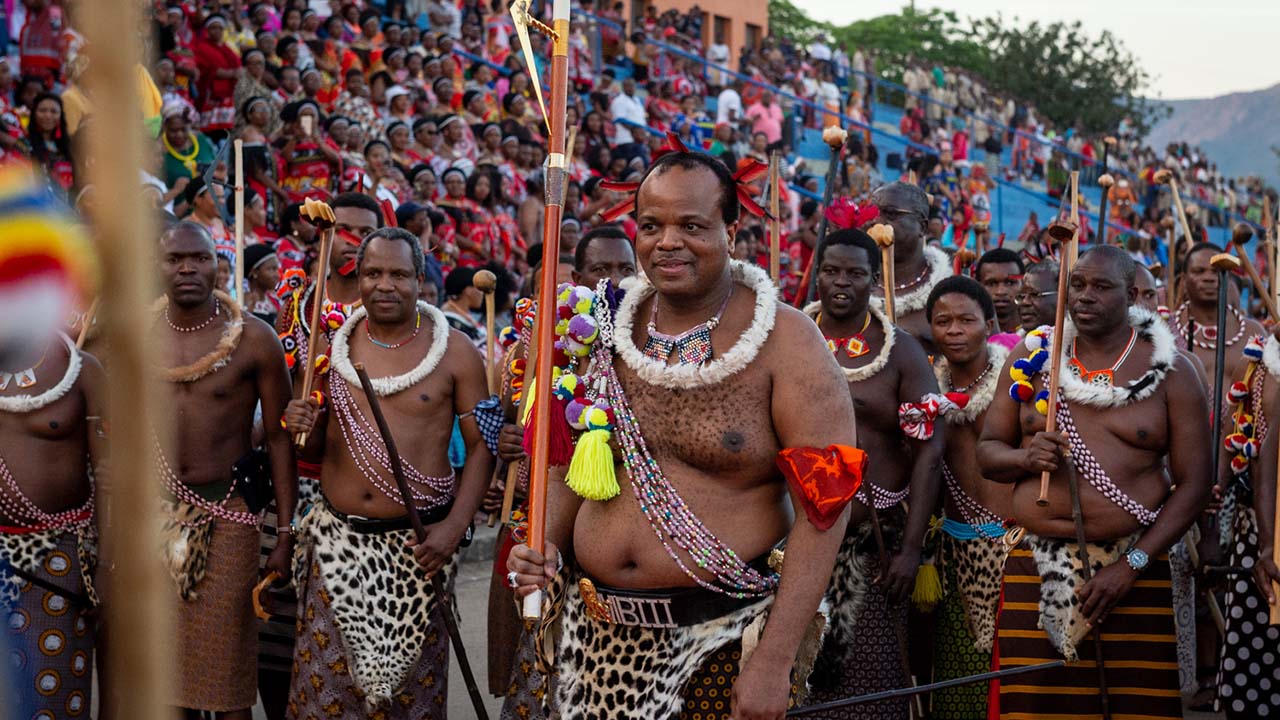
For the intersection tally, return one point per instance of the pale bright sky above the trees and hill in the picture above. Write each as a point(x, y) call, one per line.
point(1192, 48)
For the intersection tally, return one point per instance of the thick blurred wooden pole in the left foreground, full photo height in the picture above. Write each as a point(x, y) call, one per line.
point(139, 595)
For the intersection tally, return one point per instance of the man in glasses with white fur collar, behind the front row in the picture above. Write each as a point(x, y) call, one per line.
point(917, 266)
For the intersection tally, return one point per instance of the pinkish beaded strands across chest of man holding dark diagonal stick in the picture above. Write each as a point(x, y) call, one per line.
point(371, 457)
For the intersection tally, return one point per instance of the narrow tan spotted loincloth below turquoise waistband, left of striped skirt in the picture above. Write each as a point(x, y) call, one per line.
point(980, 567)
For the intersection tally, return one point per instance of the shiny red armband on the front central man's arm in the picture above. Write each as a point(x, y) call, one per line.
point(825, 480)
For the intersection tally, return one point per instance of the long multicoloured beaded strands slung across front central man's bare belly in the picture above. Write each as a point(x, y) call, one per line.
point(671, 520)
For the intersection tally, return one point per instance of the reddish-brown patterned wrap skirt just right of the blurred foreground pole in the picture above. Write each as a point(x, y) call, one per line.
point(217, 634)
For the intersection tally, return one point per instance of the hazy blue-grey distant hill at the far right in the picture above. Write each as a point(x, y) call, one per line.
point(1237, 131)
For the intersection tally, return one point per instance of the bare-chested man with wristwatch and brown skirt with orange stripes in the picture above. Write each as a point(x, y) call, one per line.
point(1128, 403)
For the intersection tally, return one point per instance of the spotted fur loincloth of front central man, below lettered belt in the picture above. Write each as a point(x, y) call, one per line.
point(653, 664)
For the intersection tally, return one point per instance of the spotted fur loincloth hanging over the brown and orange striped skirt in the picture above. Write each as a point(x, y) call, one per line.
point(1059, 567)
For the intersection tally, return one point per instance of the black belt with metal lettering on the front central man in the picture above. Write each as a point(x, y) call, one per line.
point(665, 608)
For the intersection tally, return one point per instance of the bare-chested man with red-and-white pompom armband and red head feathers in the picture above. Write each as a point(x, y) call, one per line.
point(886, 370)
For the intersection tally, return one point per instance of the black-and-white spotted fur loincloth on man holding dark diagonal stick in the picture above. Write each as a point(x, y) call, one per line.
point(382, 600)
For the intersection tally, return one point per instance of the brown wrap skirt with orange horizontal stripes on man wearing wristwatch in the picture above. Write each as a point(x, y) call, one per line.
point(1139, 644)
